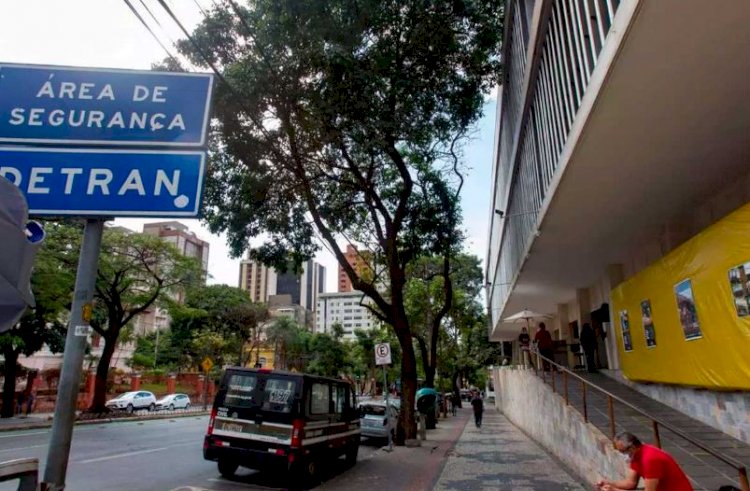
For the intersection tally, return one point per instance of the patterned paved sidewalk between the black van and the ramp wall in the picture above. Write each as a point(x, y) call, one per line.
point(457, 456)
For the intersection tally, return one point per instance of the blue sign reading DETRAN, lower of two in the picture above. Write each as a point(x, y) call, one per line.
point(106, 183)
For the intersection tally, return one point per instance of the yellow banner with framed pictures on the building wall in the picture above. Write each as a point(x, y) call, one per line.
point(686, 318)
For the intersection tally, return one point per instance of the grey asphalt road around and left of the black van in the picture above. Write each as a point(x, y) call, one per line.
point(161, 455)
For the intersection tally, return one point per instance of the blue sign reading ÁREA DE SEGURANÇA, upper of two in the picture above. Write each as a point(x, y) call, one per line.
point(64, 105)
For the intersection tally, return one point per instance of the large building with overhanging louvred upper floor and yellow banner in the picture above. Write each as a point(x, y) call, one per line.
point(621, 190)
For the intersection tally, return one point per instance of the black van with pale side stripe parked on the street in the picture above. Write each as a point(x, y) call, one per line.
point(293, 422)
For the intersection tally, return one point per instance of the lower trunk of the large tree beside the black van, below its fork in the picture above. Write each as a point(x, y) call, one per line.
point(407, 424)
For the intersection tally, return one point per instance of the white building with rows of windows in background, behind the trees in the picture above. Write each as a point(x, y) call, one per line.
point(346, 309)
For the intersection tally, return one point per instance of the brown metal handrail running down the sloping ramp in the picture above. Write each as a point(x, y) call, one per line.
point(656, 422)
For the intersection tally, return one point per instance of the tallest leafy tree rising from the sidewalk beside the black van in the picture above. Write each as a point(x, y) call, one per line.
point(344, 120)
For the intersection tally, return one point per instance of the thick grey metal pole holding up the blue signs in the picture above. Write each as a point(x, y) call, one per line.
point(75, 346)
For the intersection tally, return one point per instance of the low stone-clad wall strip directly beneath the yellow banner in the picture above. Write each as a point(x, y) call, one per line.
point(728, 412)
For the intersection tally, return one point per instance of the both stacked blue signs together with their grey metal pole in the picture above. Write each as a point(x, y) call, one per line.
point(109, 109)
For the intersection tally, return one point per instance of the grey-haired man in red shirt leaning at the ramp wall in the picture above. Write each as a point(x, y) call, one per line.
point(658, 469)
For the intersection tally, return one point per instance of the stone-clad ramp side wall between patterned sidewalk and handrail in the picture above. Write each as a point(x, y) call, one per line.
point(532, 407)
